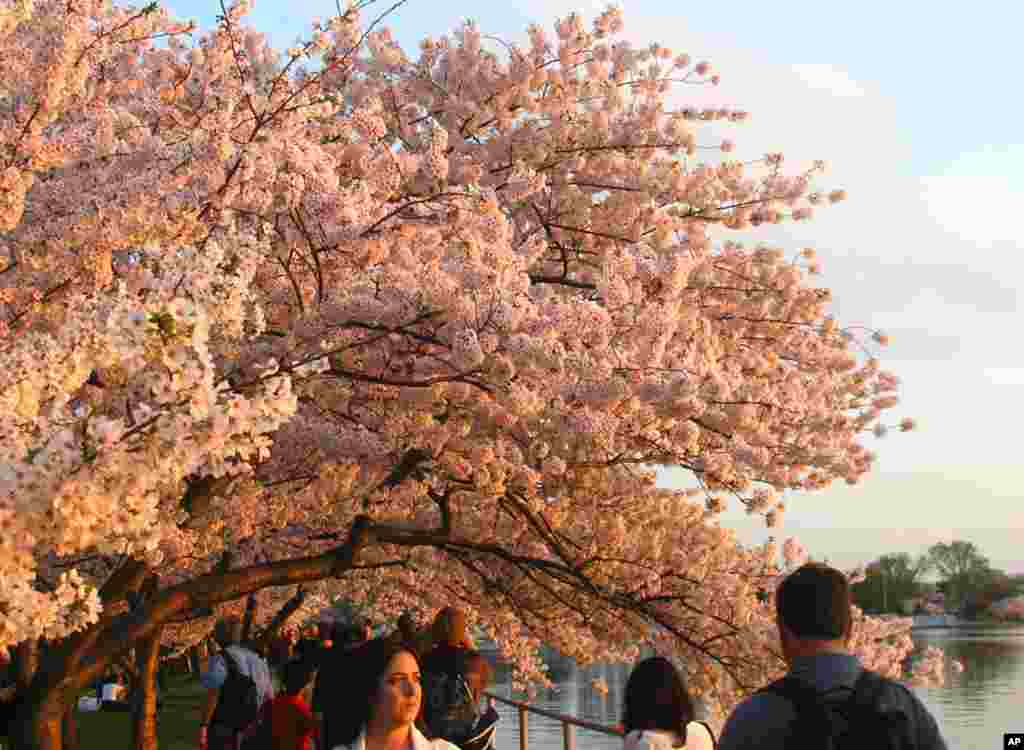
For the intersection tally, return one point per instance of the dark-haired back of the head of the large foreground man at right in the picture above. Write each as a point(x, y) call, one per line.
point(813, 608)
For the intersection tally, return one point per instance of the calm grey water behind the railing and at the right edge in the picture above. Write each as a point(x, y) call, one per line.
point(974, 710)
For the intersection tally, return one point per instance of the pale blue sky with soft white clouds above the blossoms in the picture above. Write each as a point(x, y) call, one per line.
point(913, 107)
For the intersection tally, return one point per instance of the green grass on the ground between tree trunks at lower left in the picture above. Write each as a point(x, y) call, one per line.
point(178, 721)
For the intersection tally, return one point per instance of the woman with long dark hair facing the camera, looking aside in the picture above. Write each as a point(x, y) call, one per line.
point(388, 701)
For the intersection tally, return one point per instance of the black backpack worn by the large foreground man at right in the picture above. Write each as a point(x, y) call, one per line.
point(826, 723)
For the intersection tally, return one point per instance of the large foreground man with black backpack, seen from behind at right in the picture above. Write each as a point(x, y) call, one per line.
point(828, 700)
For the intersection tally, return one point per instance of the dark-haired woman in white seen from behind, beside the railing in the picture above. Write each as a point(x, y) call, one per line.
point(659, 712)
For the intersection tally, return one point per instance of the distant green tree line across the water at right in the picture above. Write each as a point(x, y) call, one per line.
point(969, 584)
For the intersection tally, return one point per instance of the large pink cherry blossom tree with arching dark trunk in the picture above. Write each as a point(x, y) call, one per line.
point(417, 328)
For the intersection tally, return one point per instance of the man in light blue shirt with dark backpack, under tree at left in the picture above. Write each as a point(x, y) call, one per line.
point(238, 683)
